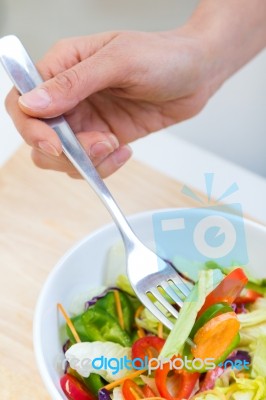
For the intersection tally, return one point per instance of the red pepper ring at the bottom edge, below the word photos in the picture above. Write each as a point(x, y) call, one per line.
point(183, 382)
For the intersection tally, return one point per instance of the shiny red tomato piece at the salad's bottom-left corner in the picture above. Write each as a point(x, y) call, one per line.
point(74, 389)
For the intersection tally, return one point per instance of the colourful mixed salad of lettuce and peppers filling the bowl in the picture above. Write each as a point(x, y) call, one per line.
point(116, 349)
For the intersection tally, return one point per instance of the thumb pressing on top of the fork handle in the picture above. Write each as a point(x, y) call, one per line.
point(64, 91)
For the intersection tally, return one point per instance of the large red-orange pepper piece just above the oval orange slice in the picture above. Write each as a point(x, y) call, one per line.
point(227, 290)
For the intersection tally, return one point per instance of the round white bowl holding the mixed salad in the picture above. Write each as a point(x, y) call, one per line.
point(82, 267)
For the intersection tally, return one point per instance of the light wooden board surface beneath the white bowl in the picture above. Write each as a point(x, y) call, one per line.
point(42, 214)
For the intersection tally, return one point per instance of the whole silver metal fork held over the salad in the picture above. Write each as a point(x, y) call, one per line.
point(148, 273)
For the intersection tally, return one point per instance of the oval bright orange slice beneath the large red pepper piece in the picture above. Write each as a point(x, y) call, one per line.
point(214, 338)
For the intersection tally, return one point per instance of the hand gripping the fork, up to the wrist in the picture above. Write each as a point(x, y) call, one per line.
point(112, 88)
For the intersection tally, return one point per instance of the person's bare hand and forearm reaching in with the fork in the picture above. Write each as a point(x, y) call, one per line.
point(134, 83)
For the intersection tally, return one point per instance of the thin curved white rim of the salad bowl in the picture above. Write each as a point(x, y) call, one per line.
point(45, 376)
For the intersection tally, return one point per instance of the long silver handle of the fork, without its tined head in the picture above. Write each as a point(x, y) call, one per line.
point(26, 77)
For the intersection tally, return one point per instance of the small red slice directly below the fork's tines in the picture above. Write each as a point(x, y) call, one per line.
point(148, 346)
